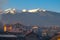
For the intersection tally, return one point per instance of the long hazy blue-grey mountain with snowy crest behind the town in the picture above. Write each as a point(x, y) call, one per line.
point(32, 17)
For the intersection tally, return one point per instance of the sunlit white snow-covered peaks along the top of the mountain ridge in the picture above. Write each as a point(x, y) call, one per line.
point(13, 10)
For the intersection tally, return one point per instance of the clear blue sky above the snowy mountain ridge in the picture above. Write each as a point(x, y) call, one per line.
point(51, 5)
